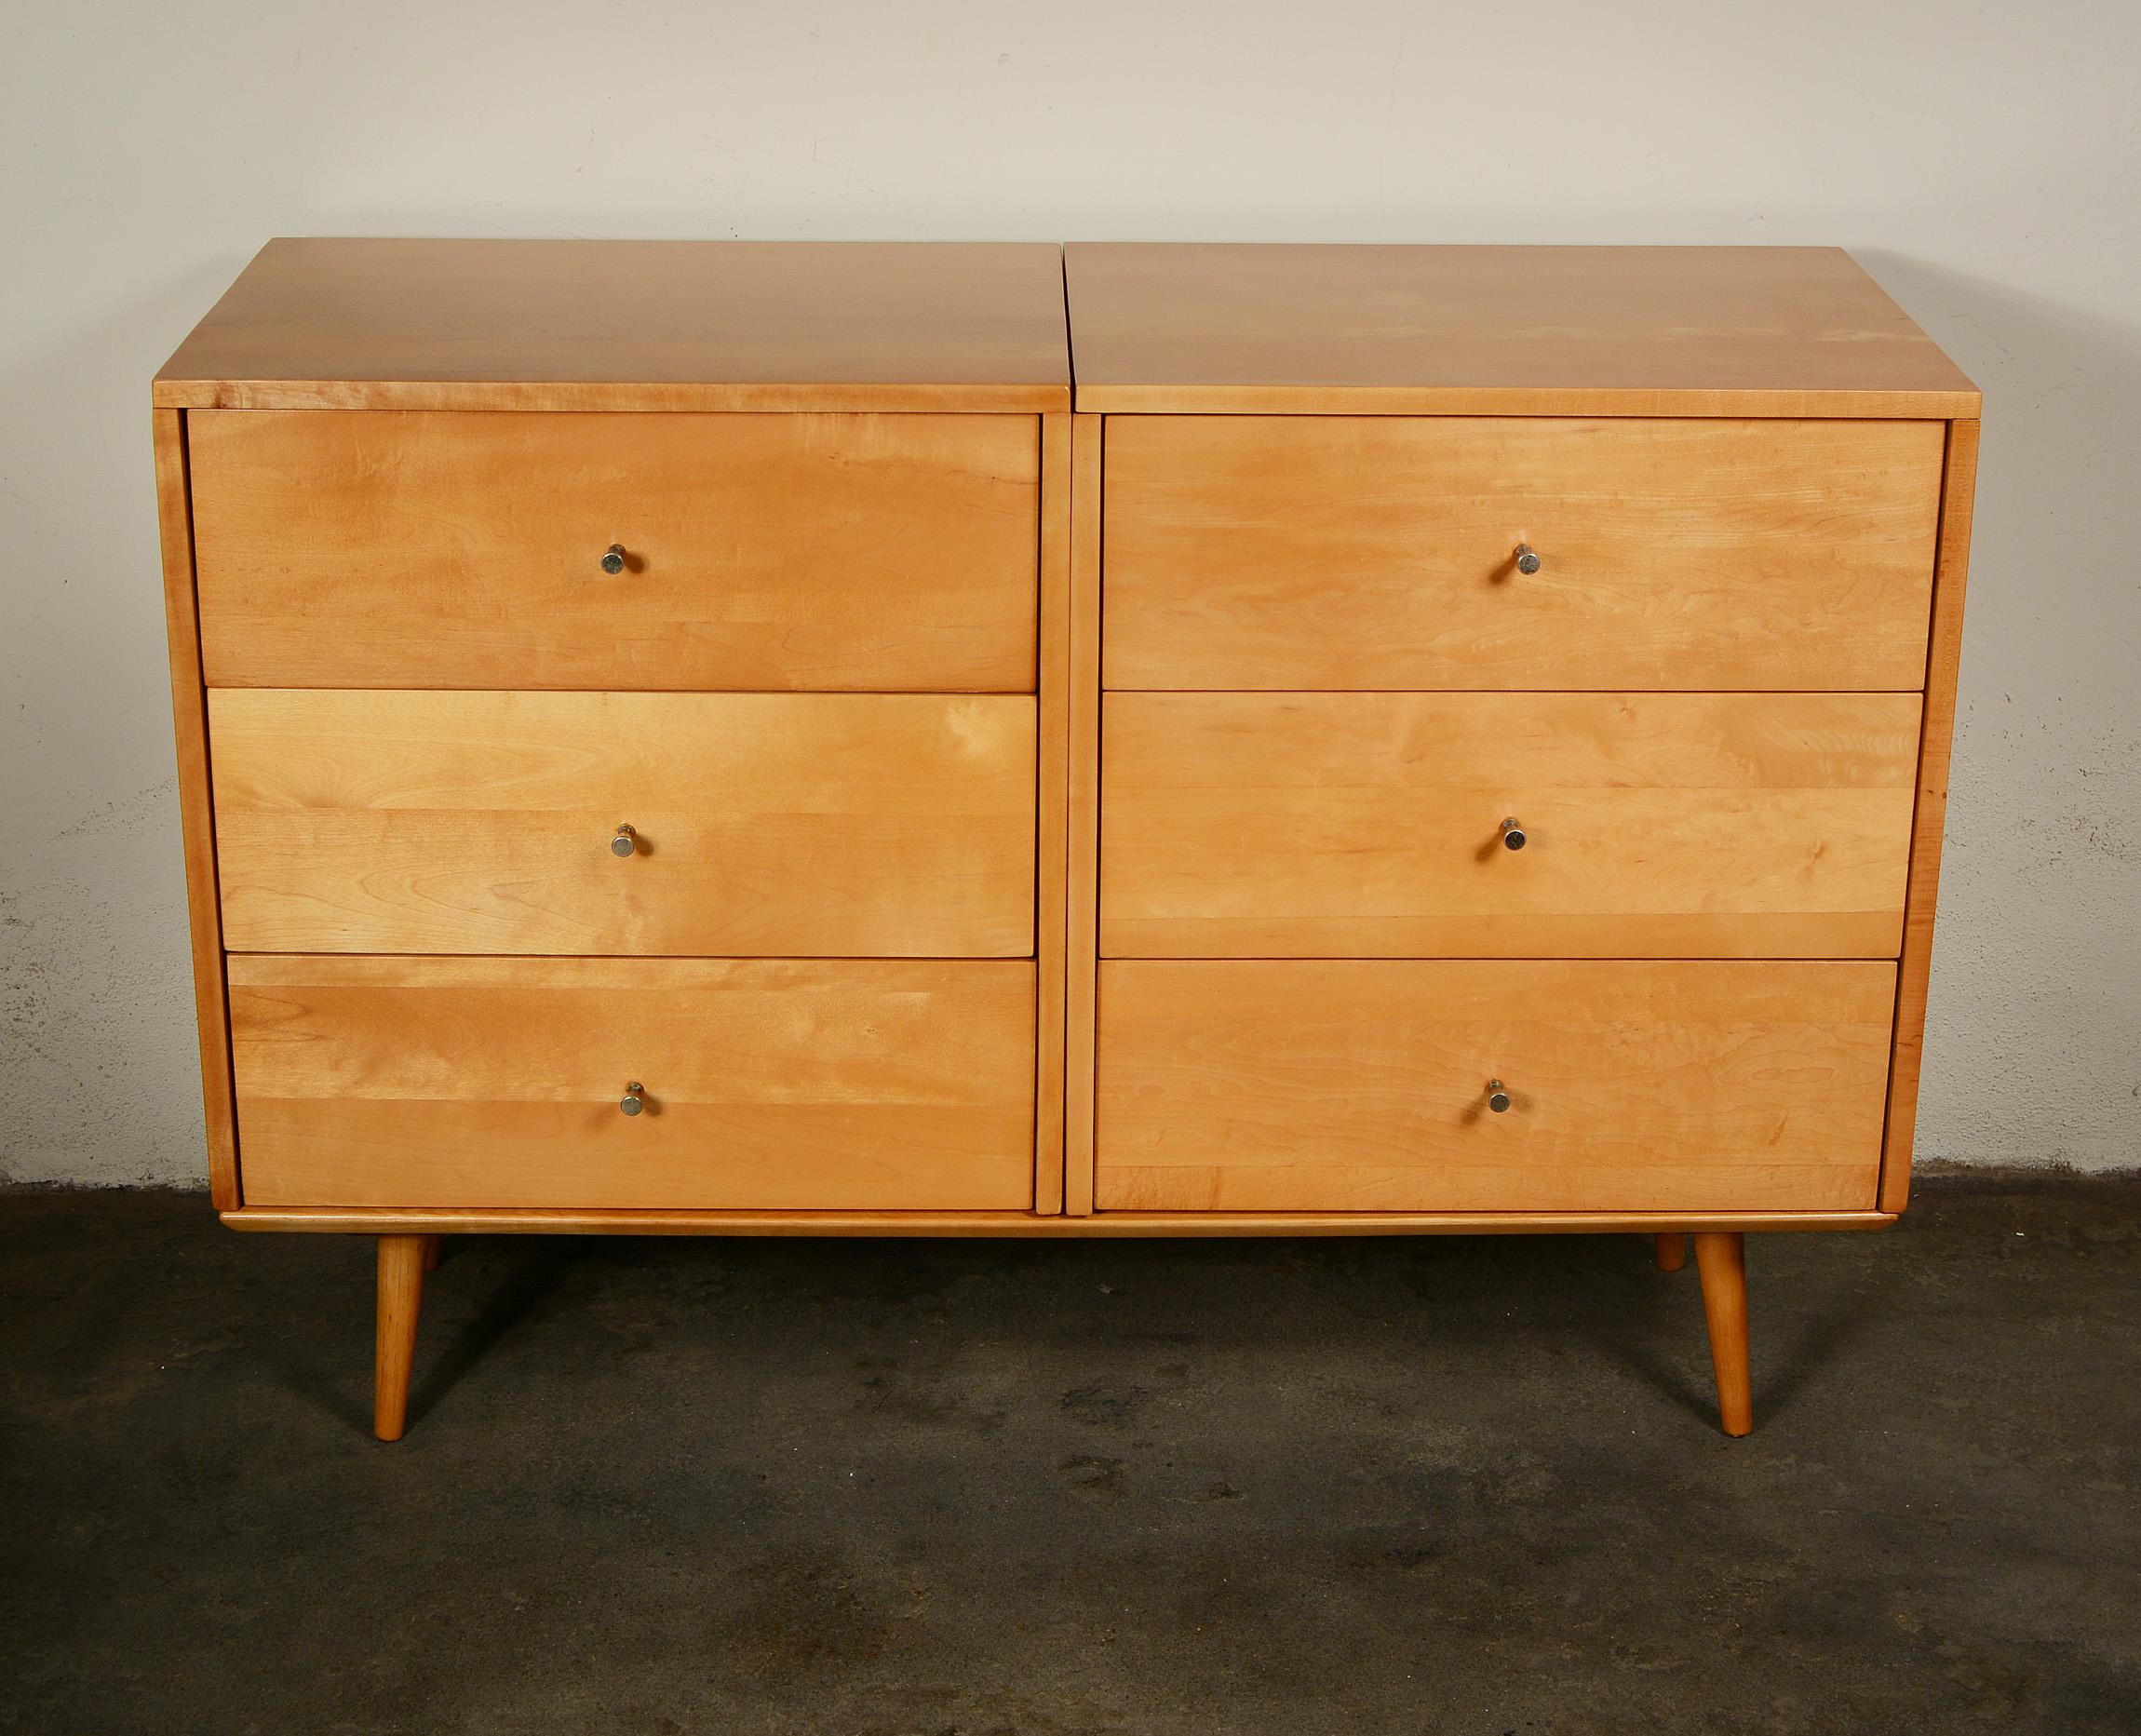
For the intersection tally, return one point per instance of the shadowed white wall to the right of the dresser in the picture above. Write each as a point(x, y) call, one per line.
point(2035, 1020)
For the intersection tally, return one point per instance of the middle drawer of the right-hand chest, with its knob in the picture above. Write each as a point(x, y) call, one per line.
point(1369, 825)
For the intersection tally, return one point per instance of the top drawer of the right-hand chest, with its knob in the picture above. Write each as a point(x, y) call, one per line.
point(1380, 553)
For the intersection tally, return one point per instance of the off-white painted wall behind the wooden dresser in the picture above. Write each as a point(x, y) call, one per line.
point(1981, 157)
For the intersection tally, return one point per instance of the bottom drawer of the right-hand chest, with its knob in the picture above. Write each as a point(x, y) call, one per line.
point(1363, 1086)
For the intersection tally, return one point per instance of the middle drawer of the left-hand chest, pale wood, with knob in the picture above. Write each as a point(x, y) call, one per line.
point(813, 825)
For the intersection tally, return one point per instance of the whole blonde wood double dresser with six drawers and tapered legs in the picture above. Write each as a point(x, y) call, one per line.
point(701, 740)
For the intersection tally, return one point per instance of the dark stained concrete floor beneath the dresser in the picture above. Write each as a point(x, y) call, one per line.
point(917, 1489)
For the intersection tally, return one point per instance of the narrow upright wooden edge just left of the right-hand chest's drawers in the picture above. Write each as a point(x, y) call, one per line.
point(1087, 504)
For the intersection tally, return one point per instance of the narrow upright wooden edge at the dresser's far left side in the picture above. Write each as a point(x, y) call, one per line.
point(196, 817)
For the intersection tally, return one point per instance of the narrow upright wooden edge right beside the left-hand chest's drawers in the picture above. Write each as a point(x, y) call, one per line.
point(1052, 887)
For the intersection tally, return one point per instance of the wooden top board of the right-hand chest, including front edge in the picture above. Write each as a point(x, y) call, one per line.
point(1504, 331)
